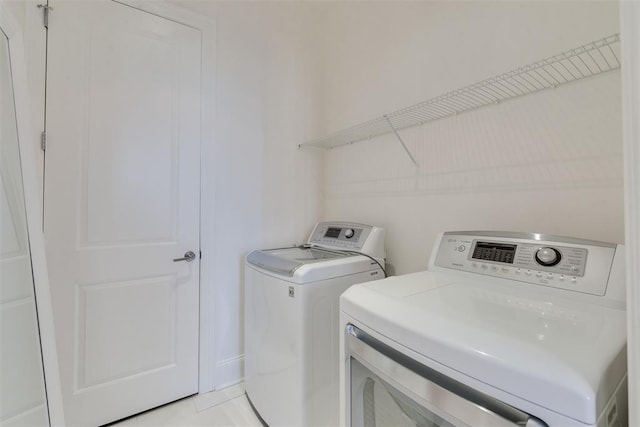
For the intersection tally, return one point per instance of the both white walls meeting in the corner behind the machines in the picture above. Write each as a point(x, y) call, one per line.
point(290, 71)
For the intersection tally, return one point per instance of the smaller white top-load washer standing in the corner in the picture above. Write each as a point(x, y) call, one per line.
point(291, 320)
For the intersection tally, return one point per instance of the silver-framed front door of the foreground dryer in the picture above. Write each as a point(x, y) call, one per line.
point(387, 388)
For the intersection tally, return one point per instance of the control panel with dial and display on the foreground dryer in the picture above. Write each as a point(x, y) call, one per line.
point(560, 262)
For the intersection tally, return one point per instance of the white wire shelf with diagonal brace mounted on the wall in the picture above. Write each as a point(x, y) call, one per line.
point(576, 64)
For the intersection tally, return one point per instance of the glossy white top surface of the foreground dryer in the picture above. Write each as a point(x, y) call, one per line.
point(559, 354)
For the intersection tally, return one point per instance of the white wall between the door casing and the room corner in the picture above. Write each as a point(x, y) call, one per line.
point(267, 192)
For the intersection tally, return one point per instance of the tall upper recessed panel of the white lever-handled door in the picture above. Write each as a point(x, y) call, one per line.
point(130, 179)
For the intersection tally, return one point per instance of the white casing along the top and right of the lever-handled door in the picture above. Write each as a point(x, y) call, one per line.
point(207, 27)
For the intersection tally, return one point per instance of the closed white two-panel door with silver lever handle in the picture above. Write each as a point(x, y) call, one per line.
point(121, 202)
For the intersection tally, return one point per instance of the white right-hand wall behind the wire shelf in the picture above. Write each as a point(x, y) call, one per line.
point(549, 162)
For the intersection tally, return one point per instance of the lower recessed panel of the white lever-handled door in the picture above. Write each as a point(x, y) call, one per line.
point(109, 349)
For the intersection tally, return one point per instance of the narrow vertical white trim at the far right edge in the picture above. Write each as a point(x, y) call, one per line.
point(630, 32)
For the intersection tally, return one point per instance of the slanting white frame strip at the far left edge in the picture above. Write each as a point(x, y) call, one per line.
point(33, 209)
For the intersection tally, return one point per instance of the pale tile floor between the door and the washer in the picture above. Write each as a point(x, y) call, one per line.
point(228, 407)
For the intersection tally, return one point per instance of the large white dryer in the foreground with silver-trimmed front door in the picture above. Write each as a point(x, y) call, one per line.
point(503, 329)
